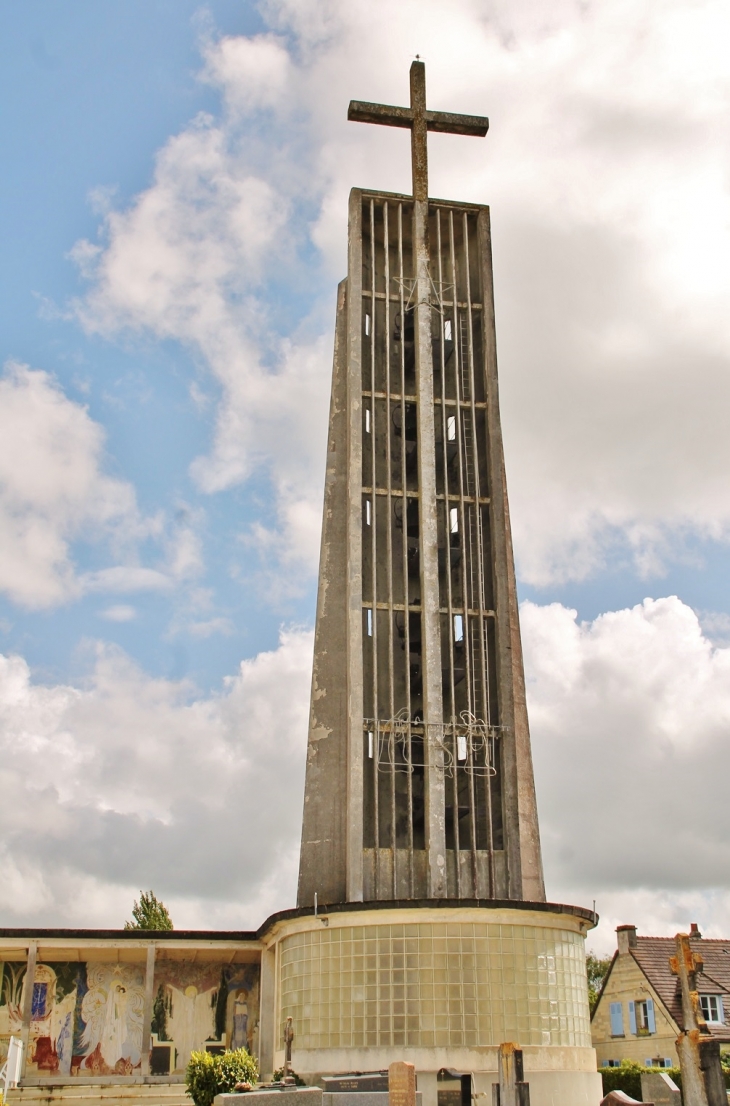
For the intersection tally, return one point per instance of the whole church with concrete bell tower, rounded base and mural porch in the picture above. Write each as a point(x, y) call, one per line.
point(422, 931)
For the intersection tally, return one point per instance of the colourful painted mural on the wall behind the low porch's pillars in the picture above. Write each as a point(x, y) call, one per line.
point(88, 1019)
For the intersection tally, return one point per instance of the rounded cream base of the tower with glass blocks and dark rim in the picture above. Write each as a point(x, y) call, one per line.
point(440, 985)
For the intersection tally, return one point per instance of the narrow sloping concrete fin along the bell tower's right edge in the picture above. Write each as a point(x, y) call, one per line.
point(520, 809)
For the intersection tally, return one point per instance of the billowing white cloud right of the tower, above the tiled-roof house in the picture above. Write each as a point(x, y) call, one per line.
point(631, 718)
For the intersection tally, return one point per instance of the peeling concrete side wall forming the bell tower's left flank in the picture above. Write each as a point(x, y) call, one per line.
point(324, 855)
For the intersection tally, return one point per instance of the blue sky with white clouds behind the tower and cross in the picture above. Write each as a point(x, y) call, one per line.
point(173, 213)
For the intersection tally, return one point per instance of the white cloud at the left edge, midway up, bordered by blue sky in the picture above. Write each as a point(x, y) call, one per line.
point(55, 494)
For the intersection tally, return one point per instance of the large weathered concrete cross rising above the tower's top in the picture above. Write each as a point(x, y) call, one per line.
point(420, 121)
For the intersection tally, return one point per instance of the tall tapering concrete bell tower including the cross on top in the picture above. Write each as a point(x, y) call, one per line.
point(420, 781)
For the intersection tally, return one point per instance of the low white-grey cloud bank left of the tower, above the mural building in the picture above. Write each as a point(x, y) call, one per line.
point(134, 782)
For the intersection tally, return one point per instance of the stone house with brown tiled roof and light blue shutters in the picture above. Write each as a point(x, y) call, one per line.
point(639, 1014)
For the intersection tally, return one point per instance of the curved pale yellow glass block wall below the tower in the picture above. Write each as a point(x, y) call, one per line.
point(430, 986)
